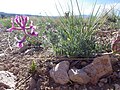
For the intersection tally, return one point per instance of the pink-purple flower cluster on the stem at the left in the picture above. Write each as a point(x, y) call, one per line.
point(21, 22)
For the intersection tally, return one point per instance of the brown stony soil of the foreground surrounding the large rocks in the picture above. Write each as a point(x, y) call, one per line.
point(18, 62)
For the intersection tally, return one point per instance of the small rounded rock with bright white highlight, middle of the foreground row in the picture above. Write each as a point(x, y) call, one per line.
point(79, 76)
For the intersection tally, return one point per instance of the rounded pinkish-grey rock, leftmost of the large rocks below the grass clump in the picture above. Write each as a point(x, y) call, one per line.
point(59, 72)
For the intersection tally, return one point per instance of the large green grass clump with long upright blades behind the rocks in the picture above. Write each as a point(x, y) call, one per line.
point(75, 36)
